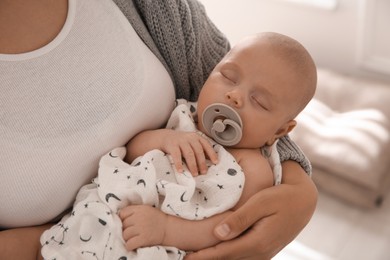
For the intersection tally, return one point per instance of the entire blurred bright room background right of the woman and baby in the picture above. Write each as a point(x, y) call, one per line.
point(350, 43)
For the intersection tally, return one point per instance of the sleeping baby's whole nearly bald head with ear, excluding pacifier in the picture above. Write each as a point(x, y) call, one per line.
point(268, 79)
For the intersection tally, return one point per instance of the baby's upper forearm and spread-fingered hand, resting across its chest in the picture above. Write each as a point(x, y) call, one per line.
point(188, 145)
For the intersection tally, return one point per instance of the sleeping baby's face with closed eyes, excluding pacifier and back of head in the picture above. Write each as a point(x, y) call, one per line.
point(255, 83)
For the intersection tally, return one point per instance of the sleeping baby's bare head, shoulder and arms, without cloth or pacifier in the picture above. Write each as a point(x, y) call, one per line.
point(267, 79)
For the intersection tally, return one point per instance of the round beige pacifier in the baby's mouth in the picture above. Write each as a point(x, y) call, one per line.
point(223, 124)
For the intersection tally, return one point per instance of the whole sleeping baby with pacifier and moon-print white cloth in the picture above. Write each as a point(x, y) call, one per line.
point(249, 101)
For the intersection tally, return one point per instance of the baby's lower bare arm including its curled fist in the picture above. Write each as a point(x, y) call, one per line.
point(145, 225)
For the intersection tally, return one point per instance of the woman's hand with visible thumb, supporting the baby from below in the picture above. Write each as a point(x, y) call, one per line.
point(272, 219)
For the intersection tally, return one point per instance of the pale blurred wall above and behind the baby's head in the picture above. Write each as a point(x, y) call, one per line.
point(333, 37)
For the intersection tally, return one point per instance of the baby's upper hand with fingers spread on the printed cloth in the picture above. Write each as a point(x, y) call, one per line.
point(191, 147)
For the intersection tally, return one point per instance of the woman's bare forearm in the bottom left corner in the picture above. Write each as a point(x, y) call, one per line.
point(22, 243)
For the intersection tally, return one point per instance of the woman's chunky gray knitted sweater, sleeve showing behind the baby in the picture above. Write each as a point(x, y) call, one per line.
point(189, 45)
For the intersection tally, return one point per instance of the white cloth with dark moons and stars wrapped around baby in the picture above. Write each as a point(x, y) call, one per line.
point(93, 229)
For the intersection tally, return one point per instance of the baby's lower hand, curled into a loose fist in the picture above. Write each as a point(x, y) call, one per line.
point(143, 225)
